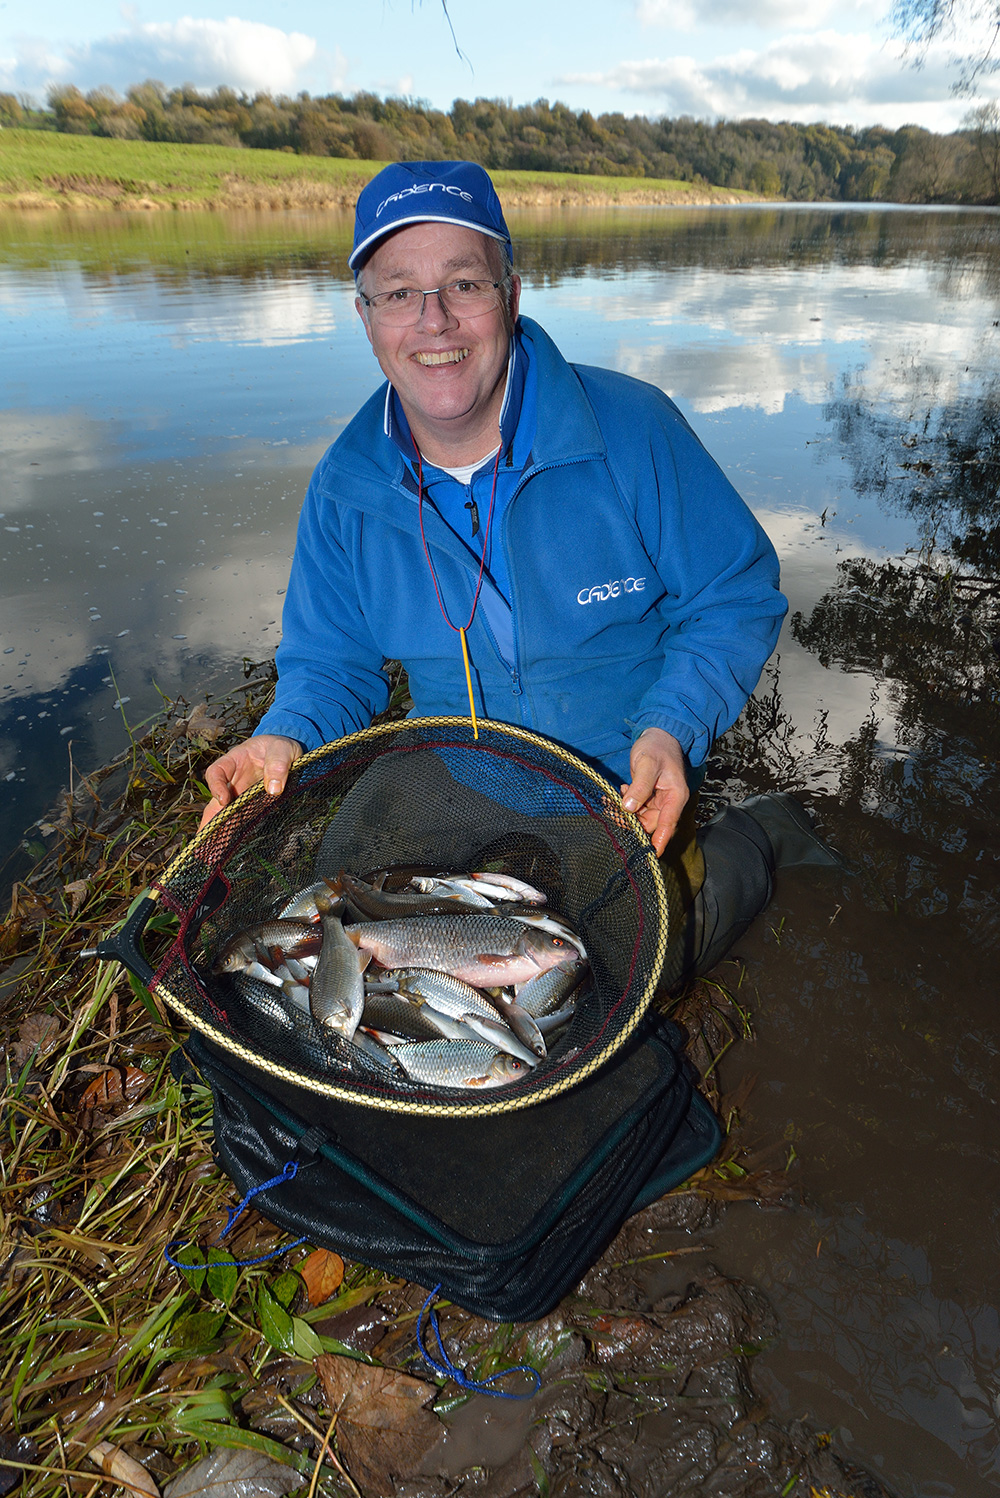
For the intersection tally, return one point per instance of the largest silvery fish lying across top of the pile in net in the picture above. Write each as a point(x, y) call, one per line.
point(478, 949)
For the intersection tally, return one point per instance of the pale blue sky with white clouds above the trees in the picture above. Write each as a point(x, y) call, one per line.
point(808, 61)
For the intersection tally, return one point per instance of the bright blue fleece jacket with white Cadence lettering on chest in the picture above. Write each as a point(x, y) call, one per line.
point(643, 591)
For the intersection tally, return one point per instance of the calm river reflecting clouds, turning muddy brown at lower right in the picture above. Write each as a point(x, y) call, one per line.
point(170, 383)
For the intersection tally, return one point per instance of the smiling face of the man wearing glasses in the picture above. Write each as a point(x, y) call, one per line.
point(448, 372)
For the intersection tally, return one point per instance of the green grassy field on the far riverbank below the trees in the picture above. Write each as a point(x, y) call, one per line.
point(40, 170)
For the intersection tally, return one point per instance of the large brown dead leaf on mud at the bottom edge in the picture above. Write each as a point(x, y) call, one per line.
point(384, 1430)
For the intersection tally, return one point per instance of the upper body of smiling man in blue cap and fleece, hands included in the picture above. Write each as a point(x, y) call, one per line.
point(615, 591)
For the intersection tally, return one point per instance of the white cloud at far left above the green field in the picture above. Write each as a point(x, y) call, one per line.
point(245, 55)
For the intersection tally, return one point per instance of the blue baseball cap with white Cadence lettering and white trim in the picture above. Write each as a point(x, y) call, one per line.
point(426, 192)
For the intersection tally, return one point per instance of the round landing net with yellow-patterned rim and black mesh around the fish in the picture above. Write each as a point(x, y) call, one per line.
point(423, 795)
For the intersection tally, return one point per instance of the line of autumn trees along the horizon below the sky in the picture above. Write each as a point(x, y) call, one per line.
point(799, 163)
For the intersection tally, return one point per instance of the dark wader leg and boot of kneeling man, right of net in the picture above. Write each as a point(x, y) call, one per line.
point(743, 847)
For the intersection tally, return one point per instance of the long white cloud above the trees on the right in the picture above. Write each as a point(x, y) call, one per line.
point(826, 76)
